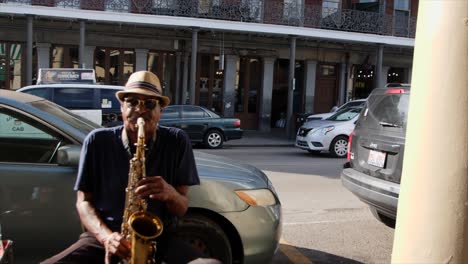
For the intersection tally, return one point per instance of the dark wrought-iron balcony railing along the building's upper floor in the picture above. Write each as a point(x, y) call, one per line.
point(257, 11)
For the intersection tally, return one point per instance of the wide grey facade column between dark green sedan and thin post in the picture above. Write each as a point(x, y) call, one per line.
point(267, 93)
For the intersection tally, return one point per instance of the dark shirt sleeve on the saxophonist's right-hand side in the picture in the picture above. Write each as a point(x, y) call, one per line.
point(186, 171)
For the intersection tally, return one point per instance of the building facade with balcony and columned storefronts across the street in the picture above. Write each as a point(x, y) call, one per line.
point(259, 60)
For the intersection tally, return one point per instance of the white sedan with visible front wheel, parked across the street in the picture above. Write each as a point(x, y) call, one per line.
point(330, 134)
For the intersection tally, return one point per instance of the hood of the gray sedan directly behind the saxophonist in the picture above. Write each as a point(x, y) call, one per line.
point(234, 173)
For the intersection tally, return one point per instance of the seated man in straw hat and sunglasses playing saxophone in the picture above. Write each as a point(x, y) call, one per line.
point(104, 171)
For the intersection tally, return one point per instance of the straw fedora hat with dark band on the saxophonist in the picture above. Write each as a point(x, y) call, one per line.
point(146, 83)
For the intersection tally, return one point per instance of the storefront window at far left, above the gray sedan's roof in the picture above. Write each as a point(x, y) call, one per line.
point(11, 55)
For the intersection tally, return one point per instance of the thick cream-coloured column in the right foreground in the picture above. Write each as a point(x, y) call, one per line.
point(432, 216)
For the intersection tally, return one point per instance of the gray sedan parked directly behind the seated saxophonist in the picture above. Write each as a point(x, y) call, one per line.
point(234, 215)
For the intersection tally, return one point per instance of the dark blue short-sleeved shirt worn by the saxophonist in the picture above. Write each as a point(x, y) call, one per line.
point(104, 166)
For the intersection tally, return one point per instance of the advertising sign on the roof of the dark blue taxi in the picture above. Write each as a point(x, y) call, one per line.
point(63, 75)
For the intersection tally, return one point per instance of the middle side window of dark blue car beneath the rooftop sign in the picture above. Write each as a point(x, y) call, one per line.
point(74, 98)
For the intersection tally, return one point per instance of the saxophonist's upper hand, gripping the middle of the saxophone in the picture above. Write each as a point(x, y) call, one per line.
point(155, 188)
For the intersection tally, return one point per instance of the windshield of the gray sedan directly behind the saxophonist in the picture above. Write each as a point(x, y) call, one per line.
point(67, 116)
